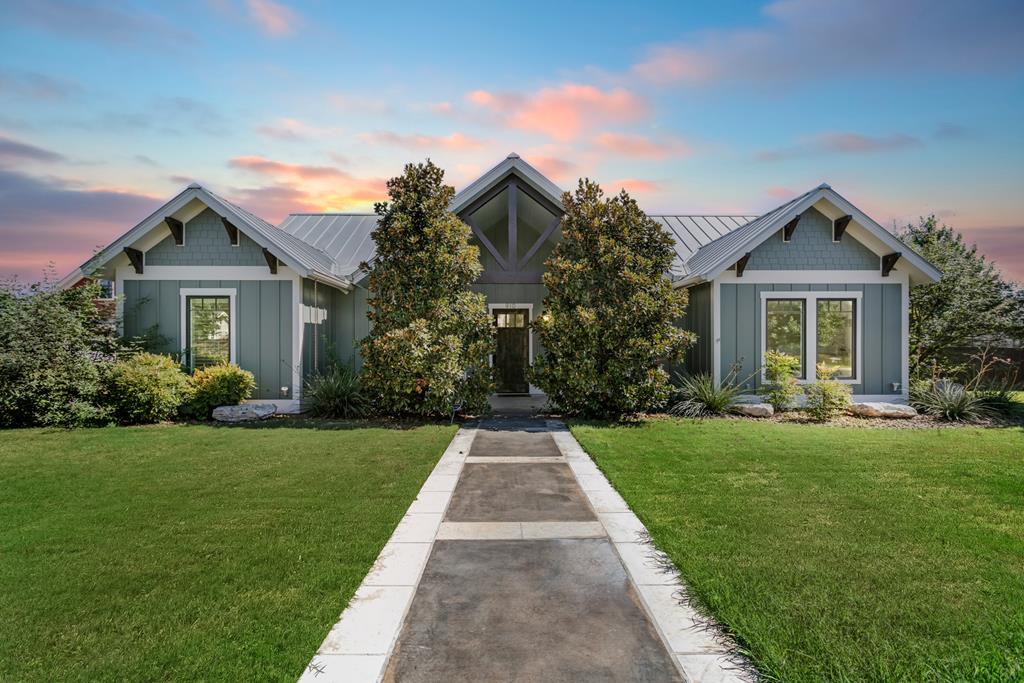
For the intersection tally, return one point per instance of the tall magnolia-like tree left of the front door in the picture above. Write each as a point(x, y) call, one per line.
point(432, 336)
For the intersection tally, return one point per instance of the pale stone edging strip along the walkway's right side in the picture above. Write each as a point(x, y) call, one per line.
point(703, 655)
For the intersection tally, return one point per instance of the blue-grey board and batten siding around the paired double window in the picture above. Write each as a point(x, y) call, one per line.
point(881, 317)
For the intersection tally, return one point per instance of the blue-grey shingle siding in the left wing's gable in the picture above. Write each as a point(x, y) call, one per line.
point(206, 243)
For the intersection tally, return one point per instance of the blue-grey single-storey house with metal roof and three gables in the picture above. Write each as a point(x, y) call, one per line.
point(816, 278)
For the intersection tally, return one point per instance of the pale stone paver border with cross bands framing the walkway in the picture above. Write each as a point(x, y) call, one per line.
point(358, 648)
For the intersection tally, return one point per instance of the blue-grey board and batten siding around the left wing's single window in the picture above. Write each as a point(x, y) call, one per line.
point(264, 325)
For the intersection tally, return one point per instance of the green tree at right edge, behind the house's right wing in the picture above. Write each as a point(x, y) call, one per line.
point(971, 307)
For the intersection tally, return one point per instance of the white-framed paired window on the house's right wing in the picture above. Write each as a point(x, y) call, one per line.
point(818, 328)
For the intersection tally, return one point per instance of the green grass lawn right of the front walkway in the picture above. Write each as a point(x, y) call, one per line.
point(835, 553)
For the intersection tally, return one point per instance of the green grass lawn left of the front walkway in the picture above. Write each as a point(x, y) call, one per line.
point(192, 552)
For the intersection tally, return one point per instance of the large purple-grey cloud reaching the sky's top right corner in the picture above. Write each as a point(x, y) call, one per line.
point(887, 39)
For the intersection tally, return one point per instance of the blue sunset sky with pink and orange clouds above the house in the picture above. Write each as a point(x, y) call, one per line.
point(109, 110)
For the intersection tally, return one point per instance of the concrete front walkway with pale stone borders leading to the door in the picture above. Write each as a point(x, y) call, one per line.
point(520, 563)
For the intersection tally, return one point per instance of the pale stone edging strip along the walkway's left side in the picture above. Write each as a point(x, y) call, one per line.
point(358, 648)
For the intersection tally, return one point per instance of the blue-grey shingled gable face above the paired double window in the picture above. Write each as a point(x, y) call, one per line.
point(812, 248)
